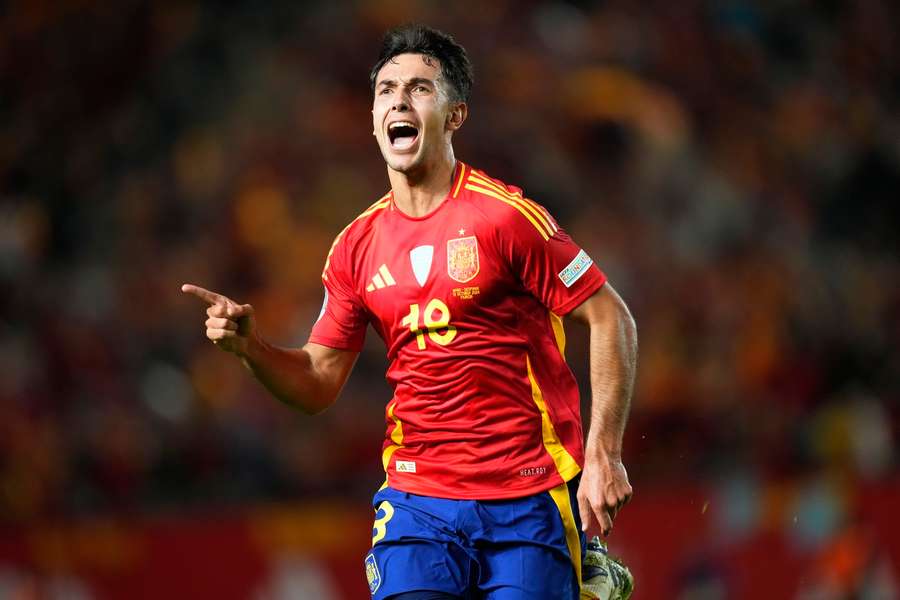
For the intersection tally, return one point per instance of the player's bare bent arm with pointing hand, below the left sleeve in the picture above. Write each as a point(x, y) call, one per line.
point(307, 378)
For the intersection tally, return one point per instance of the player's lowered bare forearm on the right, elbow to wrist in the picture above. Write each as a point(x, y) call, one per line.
point(613, 363)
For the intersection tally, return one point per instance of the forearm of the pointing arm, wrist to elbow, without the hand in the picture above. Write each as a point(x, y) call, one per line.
point(291, 375)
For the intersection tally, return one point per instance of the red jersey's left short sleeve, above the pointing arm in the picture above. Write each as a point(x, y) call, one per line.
point(343, 319)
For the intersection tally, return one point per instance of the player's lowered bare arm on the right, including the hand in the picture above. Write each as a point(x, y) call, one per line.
point(604, 487)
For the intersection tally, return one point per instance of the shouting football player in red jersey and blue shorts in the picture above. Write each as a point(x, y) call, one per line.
point(466, 280)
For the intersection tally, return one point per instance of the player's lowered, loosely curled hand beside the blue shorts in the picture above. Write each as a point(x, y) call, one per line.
point(603, 491)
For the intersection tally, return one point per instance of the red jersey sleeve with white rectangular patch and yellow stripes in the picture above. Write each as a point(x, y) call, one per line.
point(551, 266)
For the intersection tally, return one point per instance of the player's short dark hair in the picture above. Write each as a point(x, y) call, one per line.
point(420, 39)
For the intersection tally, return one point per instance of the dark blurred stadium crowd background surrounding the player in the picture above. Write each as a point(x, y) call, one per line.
point(734, 166)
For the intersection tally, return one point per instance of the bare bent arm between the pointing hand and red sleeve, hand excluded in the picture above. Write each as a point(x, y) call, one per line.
point(308, 378)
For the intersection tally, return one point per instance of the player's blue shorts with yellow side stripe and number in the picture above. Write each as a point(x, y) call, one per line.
point(518, 549)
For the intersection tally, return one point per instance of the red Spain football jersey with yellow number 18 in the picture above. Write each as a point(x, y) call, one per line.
point(468, 300)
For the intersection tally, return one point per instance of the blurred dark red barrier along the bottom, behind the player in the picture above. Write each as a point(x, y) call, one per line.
point(672, 539)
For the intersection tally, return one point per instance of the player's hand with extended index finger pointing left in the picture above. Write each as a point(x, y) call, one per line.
point(230, 326)
